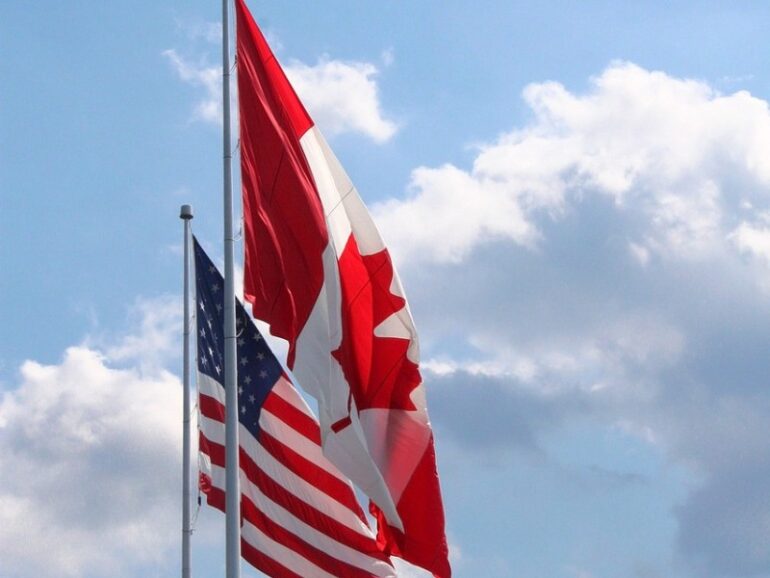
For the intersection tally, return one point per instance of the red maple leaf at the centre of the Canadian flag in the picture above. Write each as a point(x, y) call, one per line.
point(377, 368)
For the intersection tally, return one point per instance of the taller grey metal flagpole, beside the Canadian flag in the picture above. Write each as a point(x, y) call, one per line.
point(232, 485)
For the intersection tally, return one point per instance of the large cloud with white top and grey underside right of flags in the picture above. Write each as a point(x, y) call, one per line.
point(607, 263)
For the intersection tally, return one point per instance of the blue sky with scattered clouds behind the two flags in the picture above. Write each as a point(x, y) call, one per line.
point(578, 199)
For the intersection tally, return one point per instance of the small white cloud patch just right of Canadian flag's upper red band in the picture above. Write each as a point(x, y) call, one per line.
point(342, 97)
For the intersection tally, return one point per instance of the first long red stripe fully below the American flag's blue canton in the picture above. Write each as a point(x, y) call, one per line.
point(308, 513)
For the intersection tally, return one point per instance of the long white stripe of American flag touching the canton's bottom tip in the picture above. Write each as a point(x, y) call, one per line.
point(298, 486)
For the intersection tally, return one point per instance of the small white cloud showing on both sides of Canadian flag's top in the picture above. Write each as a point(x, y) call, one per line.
point(342, 97)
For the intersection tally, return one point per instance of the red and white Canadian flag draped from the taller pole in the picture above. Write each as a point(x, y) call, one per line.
point(317, 270)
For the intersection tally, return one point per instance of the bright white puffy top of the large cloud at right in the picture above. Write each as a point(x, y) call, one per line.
point(671, 150)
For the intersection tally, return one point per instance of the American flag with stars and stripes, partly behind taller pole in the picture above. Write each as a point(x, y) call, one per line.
point(300, 517)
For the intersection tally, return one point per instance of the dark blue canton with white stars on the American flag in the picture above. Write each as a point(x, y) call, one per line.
point(258, 368)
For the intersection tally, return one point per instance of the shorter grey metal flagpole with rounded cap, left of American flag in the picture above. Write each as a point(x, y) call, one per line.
point(186, 215)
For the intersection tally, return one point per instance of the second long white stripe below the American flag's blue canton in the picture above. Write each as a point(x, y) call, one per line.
point(290, 522)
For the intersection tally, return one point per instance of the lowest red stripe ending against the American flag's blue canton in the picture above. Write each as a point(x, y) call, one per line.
point(304, 468)
